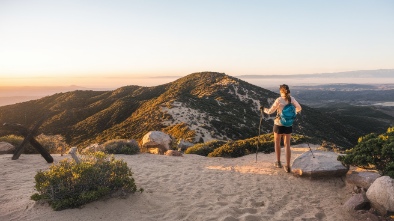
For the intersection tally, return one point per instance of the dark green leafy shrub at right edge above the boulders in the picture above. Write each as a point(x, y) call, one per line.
point(373, 151)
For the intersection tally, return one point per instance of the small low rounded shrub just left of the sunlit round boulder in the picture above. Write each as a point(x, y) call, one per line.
point(121, 146)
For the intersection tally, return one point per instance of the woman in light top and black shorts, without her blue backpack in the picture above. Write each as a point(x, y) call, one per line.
point(280, 130)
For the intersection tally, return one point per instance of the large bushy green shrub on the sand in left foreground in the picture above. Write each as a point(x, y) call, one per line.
point(69, 185)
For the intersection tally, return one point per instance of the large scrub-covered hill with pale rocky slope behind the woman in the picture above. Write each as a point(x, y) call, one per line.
point(198, 107)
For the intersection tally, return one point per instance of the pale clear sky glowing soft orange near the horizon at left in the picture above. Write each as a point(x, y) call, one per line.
point(97, 43)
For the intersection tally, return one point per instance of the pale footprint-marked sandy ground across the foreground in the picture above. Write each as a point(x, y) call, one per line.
point(191, 187)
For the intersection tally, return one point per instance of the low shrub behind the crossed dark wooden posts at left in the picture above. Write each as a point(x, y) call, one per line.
point(54, 144)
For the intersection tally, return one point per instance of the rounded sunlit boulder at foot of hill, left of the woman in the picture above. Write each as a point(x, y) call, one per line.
point(156, 142)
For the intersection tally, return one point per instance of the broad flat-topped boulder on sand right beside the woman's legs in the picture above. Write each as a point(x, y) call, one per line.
point(323, 164)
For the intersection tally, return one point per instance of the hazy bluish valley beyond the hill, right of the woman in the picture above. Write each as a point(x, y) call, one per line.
point(370, 108)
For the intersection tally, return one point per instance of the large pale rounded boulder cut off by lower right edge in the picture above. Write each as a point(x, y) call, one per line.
point(381, 195)
